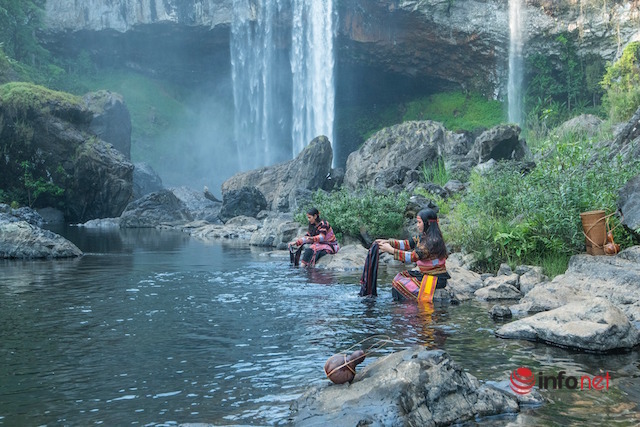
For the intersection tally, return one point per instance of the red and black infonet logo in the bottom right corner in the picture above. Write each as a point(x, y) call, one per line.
point(522, 381)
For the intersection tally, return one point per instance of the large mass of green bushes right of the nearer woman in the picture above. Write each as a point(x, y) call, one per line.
point(535, 218)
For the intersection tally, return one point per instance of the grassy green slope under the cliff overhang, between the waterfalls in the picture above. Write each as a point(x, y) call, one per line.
point(457, 110)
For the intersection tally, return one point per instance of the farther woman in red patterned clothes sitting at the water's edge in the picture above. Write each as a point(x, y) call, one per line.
point(321, 237)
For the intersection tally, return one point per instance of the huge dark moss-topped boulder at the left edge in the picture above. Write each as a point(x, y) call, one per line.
point(54, 144)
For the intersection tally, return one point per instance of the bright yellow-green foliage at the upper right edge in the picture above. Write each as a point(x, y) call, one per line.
point(622, 83)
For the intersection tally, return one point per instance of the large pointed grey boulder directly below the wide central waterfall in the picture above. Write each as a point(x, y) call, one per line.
point(279, 183)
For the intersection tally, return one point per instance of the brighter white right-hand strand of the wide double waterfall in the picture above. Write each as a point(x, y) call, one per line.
point(312, 65)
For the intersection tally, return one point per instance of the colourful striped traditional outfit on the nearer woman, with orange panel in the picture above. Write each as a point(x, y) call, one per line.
point(420, 283)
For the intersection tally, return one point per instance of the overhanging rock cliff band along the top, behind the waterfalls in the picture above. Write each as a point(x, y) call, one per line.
point(459, 42)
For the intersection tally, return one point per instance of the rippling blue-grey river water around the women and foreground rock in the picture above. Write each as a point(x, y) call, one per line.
point(157, 328)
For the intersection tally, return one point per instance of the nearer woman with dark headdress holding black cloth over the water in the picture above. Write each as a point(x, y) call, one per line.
point(428, 251)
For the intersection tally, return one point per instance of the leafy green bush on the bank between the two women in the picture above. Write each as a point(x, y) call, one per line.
point(381, 214)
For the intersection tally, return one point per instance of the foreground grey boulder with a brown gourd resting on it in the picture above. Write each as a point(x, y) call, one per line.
point(414, 387)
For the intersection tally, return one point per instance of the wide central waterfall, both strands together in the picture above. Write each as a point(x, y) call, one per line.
point(282, 71)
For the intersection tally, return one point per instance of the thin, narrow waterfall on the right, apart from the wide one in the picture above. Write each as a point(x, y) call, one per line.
point(516, 67)
